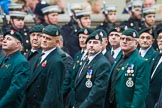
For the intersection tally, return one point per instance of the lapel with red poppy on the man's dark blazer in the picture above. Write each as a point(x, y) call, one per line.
point(40, 68)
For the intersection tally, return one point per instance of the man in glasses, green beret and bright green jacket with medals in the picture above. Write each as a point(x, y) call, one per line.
point(129, 77)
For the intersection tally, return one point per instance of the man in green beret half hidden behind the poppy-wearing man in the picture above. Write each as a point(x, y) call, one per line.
point(35, 40)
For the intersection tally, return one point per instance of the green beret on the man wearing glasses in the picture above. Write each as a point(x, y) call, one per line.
point(130, 32)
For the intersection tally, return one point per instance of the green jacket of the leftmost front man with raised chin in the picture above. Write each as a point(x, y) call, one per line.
point(14, 73)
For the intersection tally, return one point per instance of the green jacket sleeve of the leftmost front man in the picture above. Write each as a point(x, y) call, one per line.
point(19, 80)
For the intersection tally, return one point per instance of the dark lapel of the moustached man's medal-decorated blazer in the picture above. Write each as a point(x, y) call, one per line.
point(84, 71)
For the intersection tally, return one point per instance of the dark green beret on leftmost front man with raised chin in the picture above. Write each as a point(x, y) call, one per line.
point(14, 34)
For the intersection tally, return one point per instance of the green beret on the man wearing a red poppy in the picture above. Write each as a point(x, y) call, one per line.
point(52, 30)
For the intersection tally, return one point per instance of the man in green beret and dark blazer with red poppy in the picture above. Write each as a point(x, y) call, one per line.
point(44, 89)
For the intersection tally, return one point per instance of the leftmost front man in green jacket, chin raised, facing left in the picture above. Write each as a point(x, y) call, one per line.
point(14, 71)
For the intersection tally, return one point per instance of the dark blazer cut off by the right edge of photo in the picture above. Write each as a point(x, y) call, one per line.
point(155, 83)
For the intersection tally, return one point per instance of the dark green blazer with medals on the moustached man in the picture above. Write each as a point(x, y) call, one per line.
point(94, 96)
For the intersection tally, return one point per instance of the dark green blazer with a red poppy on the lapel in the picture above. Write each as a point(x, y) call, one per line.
point(44, 89)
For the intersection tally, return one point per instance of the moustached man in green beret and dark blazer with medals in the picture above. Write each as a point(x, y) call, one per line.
point(92, 76)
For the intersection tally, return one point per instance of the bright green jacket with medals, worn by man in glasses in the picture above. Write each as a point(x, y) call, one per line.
point(131, 88)
